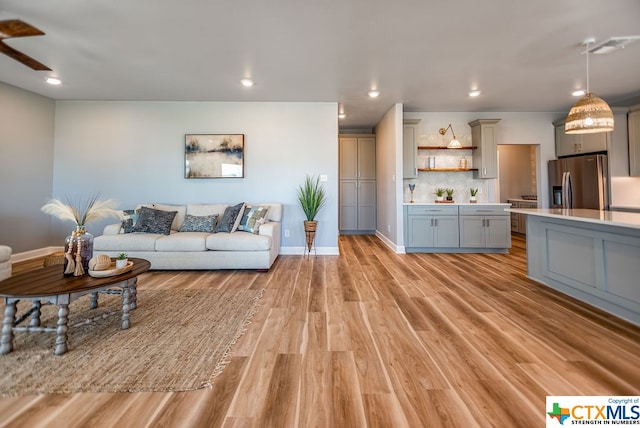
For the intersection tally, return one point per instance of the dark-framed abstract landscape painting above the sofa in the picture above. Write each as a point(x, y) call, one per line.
point(214, 156)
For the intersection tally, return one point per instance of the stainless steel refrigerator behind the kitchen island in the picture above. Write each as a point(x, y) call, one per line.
point(579, 182)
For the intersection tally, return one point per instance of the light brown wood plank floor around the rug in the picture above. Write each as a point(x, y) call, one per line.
point(372, 338)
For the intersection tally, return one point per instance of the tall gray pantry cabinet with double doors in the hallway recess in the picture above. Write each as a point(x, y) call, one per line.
point(357, 184)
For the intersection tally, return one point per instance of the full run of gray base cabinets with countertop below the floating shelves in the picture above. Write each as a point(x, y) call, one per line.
point(457, 227)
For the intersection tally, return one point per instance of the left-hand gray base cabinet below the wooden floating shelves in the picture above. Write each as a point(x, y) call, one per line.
point(432, 226)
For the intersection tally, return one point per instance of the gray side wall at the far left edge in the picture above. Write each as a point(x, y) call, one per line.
point(26, 167)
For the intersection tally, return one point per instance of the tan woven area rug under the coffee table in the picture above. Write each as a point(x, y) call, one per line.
point(179, 340)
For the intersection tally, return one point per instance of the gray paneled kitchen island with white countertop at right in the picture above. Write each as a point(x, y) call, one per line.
point(591, 255)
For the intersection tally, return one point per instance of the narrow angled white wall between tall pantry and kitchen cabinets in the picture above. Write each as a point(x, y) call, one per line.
point(389, 176)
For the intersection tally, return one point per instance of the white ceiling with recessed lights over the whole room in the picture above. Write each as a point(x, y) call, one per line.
point(426, 54)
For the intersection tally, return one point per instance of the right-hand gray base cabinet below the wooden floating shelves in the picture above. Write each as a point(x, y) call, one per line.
point(484, 227)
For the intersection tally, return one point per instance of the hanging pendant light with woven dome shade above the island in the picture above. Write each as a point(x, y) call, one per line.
point(591, 113)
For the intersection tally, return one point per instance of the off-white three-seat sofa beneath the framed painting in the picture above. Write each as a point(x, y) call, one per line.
point(197, 250)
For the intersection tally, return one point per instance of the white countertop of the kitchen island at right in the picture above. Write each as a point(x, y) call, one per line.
point(613, 218)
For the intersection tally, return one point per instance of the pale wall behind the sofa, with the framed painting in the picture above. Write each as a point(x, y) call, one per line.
point(134, 152)
